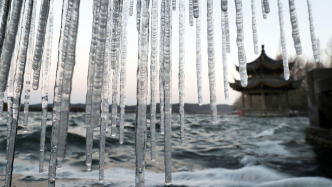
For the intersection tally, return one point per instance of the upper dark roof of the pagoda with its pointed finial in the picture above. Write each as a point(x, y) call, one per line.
point(265, 62)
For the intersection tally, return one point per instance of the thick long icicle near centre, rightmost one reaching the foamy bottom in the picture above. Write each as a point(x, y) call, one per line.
point(167, 91)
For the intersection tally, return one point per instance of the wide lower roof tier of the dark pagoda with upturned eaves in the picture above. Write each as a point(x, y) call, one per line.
point(266, 83)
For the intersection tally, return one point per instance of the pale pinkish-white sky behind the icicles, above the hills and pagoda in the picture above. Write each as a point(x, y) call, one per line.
point(268, 35)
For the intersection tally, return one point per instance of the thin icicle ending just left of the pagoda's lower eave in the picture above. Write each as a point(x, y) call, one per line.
point(224, 55)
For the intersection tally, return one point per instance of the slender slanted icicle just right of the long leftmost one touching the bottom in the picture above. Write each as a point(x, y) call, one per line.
point(27, 76)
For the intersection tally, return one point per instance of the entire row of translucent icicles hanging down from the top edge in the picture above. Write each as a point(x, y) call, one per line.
point(23, 61)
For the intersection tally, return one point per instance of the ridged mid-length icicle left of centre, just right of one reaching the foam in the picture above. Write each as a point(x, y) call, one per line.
point(115, 53)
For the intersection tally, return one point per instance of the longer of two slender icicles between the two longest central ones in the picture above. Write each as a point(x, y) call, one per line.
point(153, 74)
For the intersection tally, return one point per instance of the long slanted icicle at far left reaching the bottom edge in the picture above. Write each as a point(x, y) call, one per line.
point(18, 85)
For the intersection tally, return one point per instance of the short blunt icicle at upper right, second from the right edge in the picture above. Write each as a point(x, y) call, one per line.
point(295, 27)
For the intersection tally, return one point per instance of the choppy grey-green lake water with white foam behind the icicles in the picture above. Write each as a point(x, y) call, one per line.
point(237, 151)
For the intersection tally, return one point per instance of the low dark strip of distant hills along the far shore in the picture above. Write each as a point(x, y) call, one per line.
point(188, 108)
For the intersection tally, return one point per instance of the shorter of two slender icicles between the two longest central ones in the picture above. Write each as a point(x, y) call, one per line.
point(161, 66)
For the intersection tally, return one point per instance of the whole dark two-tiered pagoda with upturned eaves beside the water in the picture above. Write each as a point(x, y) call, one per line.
point(267, 91)
